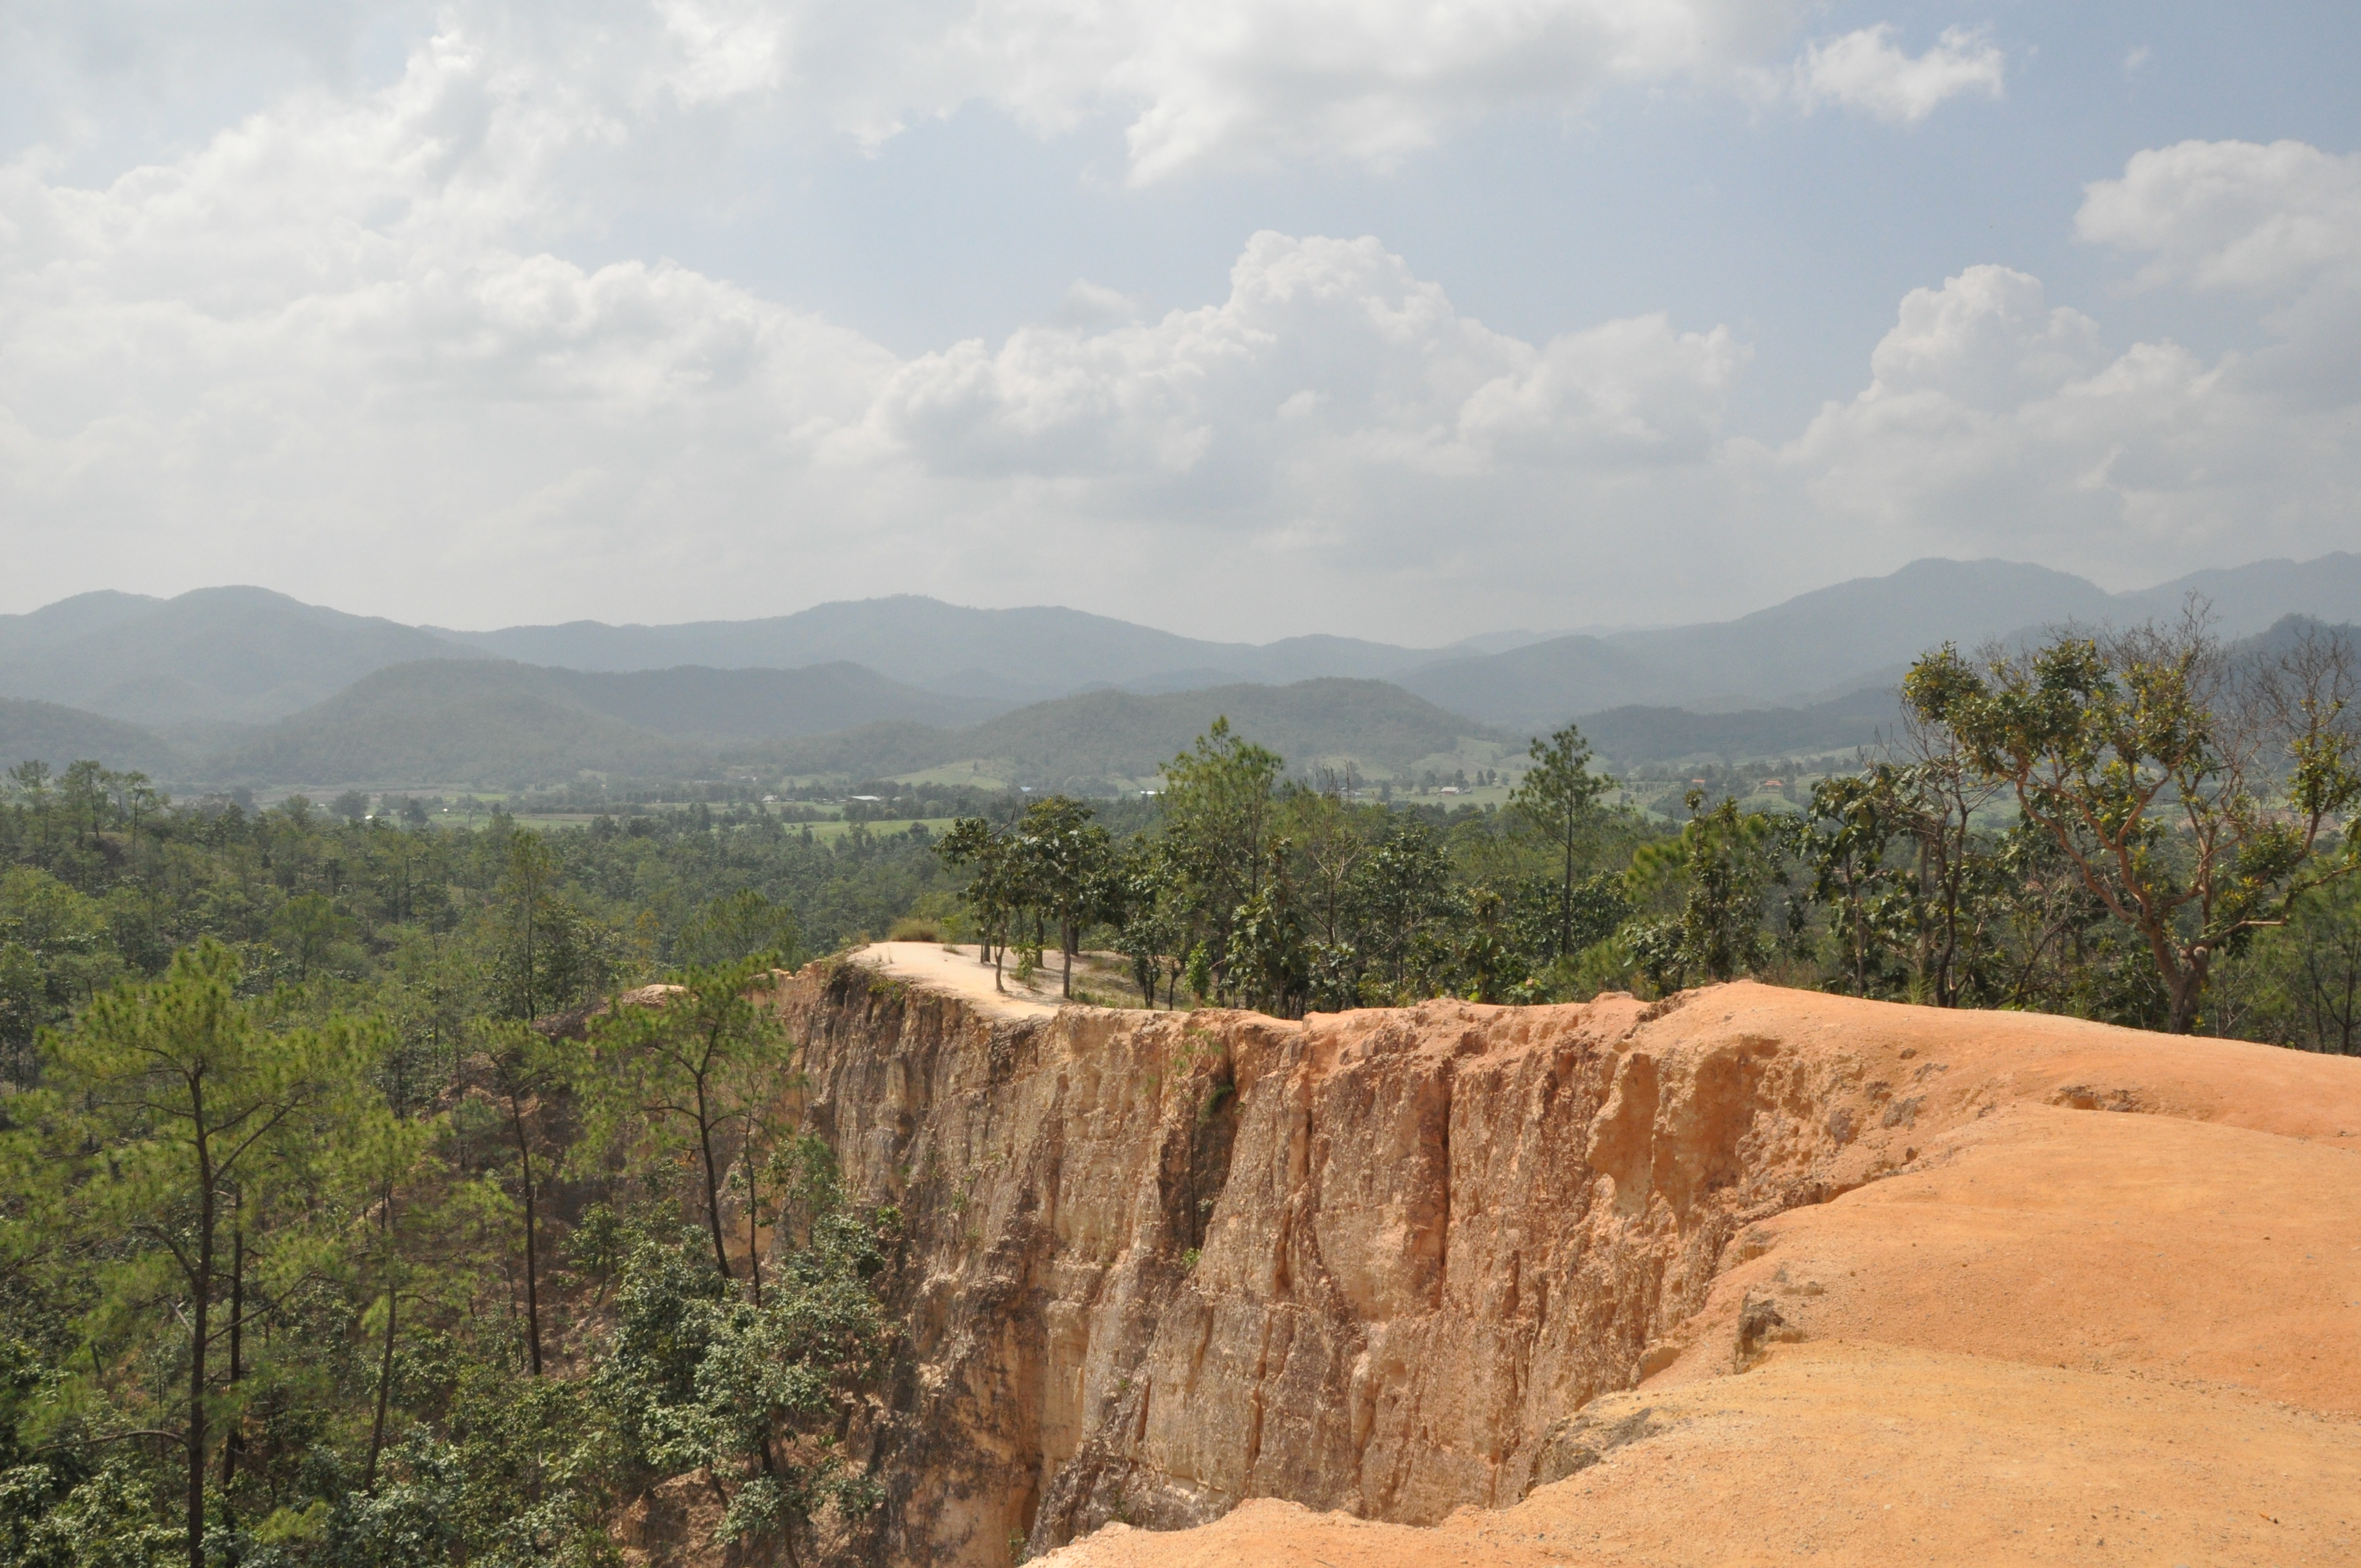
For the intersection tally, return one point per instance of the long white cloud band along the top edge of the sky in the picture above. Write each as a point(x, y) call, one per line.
point(1203, 86)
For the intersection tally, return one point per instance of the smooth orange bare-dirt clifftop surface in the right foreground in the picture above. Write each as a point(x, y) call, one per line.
point(2093, 1295)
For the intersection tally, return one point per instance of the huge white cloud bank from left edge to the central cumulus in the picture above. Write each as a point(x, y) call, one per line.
point(327, 351)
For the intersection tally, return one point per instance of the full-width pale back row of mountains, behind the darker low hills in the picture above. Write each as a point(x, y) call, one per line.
point(209, 662)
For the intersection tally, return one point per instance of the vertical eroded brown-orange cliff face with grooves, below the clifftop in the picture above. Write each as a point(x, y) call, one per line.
point(1368, 1262)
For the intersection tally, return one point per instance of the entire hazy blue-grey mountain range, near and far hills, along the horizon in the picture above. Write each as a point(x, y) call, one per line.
point(242, 686)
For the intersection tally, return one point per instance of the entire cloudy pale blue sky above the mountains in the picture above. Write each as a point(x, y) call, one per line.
point(1236, 318)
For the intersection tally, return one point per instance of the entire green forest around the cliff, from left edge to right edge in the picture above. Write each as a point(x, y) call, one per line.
point(367, 1206)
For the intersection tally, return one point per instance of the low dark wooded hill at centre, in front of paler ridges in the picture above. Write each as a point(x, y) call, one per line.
point(1127, 736)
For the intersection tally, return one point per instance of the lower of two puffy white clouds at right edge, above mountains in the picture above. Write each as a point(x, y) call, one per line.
point(1996, 424)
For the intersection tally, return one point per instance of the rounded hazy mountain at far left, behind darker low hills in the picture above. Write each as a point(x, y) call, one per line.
point(207, 655)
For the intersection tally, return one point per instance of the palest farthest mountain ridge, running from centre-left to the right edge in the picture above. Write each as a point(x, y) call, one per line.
point(1814, 646)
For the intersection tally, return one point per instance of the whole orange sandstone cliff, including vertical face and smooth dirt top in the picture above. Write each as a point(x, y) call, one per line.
point(1744, 1276)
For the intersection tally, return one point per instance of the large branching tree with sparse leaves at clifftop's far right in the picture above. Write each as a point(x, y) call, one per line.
point(2187, 788)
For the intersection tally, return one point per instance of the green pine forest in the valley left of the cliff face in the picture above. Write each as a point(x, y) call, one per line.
point(299, 1118)
